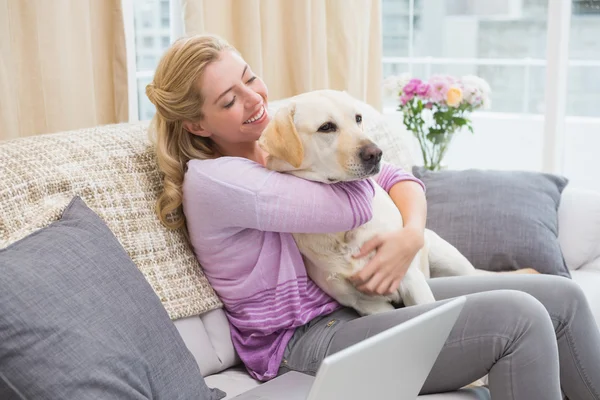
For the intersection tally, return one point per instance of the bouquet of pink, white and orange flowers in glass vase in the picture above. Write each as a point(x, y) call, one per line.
point(436, 109)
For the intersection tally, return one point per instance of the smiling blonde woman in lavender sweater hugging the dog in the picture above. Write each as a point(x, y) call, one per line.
point(532, 334)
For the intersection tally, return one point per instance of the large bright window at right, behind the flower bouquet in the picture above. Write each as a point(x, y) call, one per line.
point(537, 122)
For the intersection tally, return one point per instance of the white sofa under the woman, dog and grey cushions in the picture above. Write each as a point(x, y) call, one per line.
point(207, 336)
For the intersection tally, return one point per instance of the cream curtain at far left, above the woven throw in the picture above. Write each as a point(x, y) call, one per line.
point(62, 65)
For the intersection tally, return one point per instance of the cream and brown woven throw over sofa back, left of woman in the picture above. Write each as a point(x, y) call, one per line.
point(113, 169)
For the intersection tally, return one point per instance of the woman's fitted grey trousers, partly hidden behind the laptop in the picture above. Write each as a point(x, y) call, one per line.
point(515, 328)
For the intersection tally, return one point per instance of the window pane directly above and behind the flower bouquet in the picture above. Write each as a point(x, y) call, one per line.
point(503, 41)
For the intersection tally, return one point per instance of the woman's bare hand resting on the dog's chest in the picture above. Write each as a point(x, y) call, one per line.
point(394, 253)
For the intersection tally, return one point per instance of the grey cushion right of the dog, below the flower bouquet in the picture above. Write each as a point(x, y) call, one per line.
point(499, 220)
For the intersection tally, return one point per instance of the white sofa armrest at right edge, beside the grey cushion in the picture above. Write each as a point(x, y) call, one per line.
point(579, 227)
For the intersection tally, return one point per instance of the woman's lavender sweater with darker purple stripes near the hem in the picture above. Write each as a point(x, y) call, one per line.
point(240, 217)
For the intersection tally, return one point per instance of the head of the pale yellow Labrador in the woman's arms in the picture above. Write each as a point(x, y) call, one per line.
point(319, 137)
